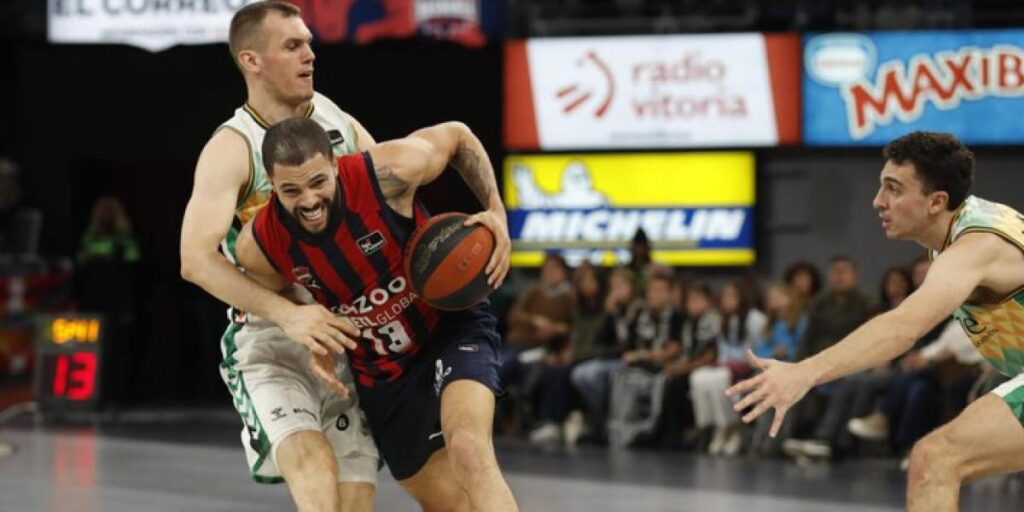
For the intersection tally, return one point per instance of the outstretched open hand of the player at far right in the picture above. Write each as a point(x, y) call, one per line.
point(780, 386)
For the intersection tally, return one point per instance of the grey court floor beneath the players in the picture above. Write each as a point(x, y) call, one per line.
point(191, 461)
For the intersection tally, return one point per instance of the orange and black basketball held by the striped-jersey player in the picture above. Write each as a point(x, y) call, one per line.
point(446, 262)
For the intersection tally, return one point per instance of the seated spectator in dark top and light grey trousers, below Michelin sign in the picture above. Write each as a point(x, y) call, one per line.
point(653, 342)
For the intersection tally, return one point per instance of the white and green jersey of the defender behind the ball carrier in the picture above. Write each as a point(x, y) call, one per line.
point(248, 123)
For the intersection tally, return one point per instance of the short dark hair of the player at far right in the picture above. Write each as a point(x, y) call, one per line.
point(944, 163)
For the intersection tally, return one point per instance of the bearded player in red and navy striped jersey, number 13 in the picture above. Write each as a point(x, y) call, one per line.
point(426, 378)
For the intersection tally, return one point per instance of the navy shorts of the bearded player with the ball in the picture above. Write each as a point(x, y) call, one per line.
point(405, 414)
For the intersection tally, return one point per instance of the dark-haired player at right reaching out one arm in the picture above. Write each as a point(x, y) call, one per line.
point(977, 274)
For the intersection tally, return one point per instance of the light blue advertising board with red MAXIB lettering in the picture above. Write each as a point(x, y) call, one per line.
point(869, 89)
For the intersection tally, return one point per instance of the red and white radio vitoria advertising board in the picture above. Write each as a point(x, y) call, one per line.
point(653, 92)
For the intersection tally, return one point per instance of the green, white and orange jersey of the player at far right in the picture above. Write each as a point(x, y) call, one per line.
point(997, 329)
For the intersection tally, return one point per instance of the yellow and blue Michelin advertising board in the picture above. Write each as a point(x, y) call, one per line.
point(697, 208)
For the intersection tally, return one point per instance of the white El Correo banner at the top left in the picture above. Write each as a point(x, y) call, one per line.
point(153, 25)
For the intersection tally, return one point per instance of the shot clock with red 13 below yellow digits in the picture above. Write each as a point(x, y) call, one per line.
point(69, 362)
